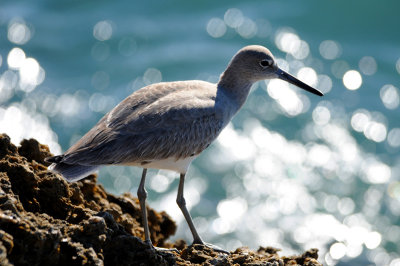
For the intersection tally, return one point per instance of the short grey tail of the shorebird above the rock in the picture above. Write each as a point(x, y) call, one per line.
point(71, 172)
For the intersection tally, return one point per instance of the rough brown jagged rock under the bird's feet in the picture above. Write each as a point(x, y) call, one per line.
point(45, 220)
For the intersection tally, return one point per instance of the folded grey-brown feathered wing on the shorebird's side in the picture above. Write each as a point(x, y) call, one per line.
point(163, 120)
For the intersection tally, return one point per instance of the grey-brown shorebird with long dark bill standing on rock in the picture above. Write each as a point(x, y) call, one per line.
point(167, 125)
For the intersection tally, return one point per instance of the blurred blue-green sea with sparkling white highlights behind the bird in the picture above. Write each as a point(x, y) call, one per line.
point(292, 170)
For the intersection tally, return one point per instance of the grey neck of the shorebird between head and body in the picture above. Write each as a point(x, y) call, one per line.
point(234, 86)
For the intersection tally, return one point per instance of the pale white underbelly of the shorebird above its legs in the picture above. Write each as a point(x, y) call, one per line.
point(181, 165)
